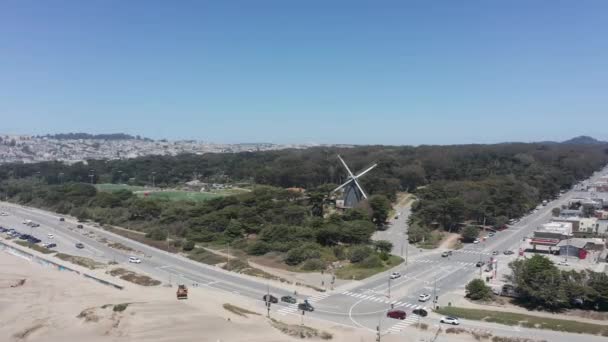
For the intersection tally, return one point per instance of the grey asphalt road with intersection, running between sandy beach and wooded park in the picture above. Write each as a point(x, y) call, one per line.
point(359, 304)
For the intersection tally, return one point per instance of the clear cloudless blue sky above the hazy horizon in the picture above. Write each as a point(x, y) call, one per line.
point(386, 72)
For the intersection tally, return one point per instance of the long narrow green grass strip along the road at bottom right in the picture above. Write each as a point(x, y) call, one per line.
point(527, 321)
